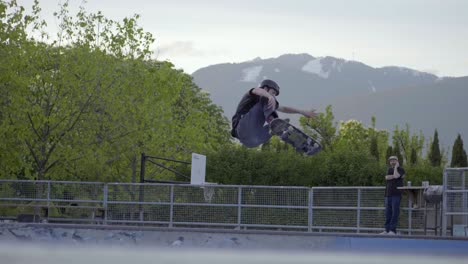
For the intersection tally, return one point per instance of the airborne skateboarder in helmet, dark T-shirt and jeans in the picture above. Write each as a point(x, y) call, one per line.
point(256, 110)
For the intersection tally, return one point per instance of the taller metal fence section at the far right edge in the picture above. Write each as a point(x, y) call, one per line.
point(455, 202)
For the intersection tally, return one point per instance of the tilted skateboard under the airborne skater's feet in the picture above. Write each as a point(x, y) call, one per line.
point(292, 135)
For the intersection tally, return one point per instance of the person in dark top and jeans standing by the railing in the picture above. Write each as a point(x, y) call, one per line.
point(394, 179)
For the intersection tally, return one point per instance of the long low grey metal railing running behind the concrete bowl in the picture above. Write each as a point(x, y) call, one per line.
point(317, 209)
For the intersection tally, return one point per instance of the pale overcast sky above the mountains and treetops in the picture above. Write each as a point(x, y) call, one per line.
point(426, 35)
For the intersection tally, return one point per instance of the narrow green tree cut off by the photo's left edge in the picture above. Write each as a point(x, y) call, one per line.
point(15, 45)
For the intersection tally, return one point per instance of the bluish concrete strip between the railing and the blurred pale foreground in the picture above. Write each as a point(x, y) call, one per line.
point(72, 236)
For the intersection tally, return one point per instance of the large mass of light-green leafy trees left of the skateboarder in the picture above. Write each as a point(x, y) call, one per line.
point(84, 105)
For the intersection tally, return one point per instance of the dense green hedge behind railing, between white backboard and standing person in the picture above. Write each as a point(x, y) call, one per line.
point(341, 167)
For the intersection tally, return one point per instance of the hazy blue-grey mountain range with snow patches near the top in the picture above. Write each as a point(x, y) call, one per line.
point(394, 95)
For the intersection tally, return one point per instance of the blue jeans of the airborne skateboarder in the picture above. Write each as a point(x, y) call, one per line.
point(252, 130)
